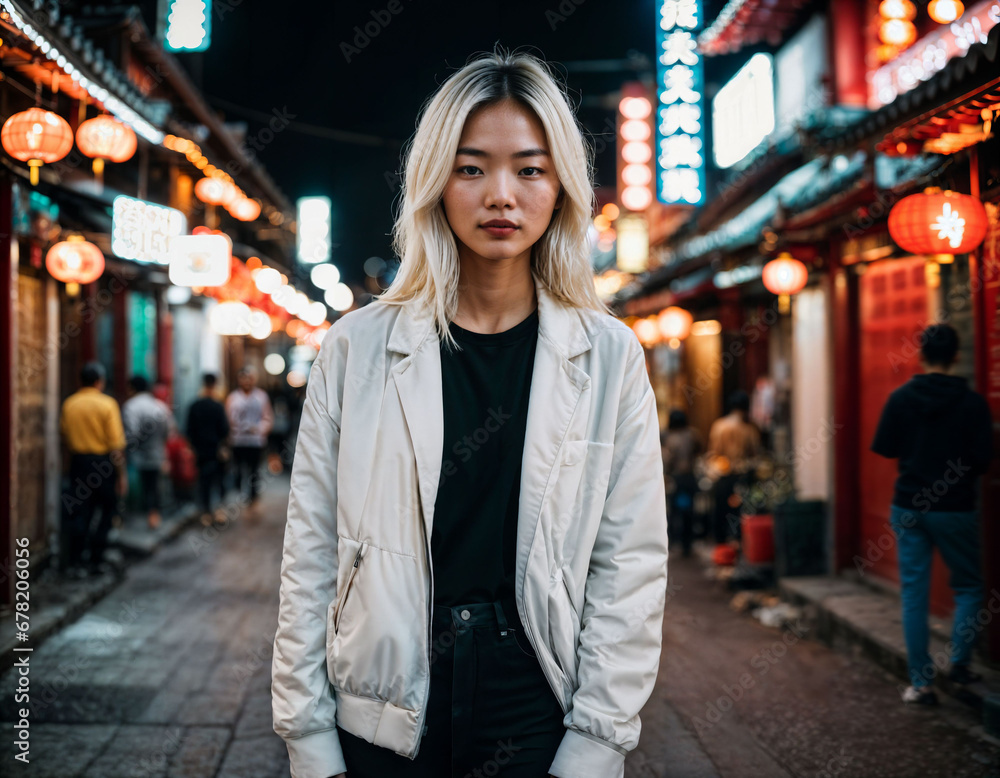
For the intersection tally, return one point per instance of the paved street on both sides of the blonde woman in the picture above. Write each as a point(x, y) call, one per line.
point(169, 675)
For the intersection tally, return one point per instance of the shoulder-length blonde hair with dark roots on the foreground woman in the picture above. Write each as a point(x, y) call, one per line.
point(423, 240)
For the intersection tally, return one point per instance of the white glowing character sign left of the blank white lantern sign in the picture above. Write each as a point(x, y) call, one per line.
point(142, 231)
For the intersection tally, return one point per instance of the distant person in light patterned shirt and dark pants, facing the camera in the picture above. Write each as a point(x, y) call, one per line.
point(250, 421)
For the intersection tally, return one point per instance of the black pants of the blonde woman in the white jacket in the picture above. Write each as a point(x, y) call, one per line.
point(490, 708)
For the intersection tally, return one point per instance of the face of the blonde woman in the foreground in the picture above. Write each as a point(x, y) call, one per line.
point(502, 172)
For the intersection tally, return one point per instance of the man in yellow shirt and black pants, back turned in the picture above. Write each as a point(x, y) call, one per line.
point(91, 424)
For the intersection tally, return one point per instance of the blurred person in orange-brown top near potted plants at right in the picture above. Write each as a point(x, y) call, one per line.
point(733, 445)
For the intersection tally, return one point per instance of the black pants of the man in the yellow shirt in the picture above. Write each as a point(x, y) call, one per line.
point(91, 487)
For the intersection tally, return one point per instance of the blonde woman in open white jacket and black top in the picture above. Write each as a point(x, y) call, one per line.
point(445, 609)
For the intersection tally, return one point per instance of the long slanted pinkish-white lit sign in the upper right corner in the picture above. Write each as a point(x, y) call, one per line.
point(932, 52)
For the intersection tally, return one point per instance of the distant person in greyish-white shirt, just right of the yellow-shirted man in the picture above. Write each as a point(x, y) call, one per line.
point(148, 422)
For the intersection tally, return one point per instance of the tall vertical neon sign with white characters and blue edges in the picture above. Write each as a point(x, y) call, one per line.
point(680, 157)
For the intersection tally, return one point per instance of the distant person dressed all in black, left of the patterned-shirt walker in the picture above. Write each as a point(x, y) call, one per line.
point(207, 430)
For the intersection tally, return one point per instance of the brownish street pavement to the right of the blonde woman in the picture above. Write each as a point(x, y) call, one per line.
point(760, 702)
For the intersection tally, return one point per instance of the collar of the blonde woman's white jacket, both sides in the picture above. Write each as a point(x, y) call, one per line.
point(558, 323)
